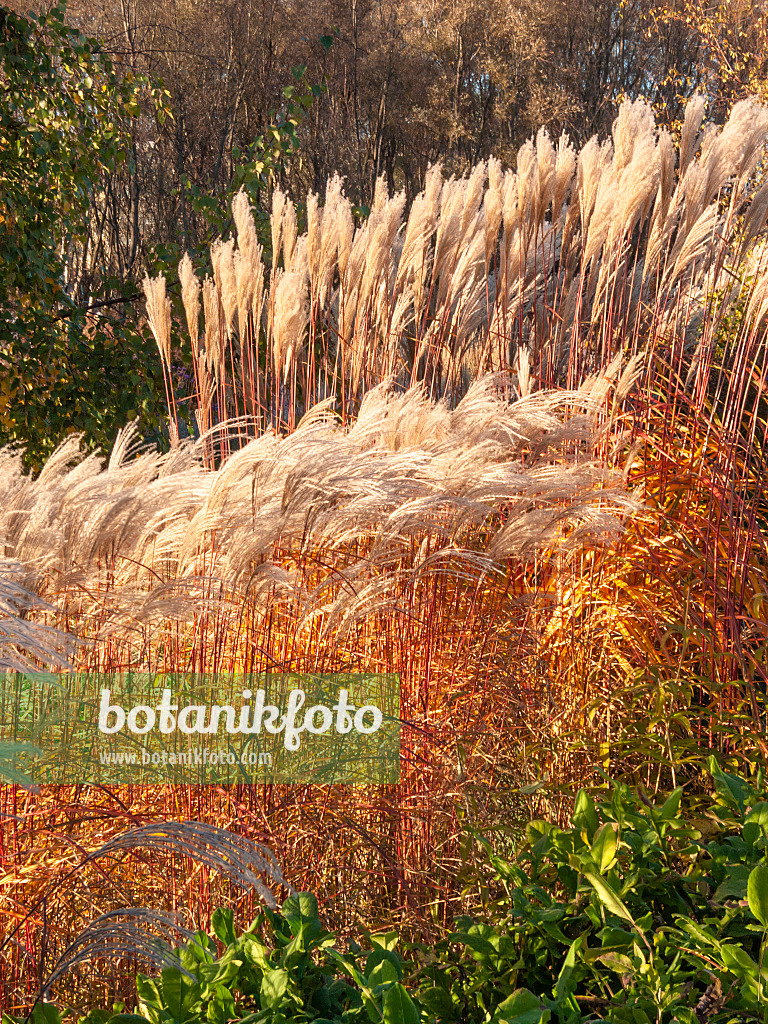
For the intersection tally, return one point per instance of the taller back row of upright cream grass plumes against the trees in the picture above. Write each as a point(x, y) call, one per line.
point(569, 253)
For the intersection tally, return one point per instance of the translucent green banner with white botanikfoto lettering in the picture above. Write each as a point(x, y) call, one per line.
point(168, 728)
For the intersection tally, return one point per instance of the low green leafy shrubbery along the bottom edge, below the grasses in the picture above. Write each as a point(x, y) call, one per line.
point(641, 913)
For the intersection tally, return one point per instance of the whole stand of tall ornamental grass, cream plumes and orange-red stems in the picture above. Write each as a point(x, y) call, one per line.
point(504, 445)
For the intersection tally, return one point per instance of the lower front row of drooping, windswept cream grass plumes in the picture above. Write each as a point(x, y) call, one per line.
point(407, 465)
